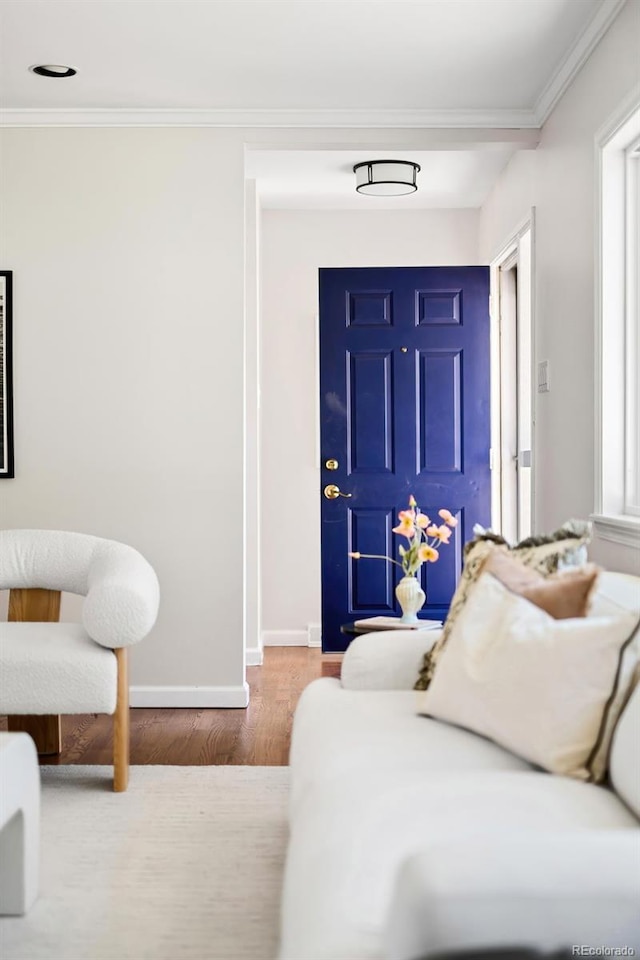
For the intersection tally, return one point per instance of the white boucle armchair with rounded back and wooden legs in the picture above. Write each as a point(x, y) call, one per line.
point(49, 668)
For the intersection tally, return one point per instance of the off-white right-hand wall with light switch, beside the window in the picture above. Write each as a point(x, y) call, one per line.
point(560, 181)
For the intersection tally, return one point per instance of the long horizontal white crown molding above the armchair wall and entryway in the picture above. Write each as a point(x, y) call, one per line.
point(374, 119)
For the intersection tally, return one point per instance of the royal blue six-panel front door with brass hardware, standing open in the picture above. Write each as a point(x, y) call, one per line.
point(404, 408)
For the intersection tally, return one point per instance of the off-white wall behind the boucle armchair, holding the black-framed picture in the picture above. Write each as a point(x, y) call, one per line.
point(127, 252)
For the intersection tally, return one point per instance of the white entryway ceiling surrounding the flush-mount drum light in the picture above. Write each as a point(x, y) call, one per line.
point(322, 180)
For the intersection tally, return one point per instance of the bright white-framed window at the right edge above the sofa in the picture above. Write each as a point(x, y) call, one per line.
point(617, 487)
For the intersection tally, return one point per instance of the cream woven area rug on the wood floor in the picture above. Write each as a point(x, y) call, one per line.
point(186, 865)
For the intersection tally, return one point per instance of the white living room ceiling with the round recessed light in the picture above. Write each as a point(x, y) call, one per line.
point(300, 55)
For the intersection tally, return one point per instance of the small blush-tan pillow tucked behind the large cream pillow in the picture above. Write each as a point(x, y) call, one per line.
point(561, 595)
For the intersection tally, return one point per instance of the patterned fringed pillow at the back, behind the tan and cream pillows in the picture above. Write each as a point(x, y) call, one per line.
point(546, 554)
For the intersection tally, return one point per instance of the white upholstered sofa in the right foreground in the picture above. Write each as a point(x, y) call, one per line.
point(410, 836)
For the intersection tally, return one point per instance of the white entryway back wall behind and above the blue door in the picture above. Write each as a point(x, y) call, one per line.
point(294, 246)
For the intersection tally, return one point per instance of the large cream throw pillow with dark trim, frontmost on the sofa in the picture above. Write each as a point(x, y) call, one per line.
point(535, 685)
